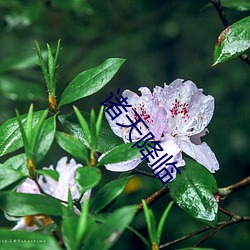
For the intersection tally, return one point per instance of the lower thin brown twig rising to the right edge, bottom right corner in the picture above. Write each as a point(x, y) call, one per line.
point(235, 220)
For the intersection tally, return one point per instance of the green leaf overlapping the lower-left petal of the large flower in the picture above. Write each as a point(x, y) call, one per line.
point(120, 153)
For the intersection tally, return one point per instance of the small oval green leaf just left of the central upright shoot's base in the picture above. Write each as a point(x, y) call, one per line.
point(73, 146)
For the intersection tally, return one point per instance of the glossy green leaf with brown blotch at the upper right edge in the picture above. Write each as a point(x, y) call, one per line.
point(233, 41)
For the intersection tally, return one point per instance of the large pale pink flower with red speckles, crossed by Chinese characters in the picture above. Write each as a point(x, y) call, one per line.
point(177, 115)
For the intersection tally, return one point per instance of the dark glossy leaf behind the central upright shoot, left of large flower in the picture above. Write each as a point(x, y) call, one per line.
point(107, 138)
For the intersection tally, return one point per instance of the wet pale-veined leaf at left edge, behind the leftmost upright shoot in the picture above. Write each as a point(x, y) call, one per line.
point(10, 136)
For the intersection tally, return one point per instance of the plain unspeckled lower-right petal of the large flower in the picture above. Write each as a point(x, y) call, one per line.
point(201, 153)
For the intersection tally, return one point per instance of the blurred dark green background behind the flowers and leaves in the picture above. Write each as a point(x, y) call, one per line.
point(161, 41)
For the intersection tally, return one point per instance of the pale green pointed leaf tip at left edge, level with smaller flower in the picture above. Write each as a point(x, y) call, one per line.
point(8, 176)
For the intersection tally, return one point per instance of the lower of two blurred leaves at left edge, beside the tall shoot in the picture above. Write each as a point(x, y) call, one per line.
point(19, 90)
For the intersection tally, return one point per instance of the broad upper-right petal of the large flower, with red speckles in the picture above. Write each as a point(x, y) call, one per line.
point(189, 110)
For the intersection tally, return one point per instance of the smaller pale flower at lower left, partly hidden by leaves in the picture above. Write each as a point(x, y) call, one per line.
point(58, 189)
